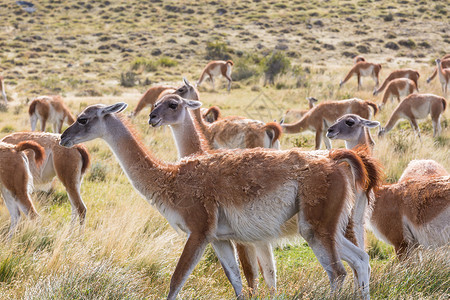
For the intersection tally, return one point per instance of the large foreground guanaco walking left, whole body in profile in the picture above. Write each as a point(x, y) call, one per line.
point(258, 190)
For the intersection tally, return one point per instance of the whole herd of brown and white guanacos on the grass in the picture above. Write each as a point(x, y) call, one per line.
point(244, 200)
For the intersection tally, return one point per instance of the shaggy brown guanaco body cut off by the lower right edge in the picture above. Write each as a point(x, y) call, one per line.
point(413, 212)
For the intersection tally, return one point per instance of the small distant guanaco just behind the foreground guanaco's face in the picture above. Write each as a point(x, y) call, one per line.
point(52, 109)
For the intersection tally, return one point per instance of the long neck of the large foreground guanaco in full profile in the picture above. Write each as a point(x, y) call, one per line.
point(146, 173)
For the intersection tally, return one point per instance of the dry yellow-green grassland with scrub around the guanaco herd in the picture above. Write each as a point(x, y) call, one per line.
point(110, 51)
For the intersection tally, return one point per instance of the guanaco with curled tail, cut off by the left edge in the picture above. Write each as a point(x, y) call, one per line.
point(16, 179)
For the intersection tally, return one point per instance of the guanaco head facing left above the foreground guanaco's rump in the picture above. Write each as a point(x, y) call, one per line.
point(350, 127)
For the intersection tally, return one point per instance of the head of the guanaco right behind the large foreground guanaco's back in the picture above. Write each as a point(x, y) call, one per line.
point(171, 110)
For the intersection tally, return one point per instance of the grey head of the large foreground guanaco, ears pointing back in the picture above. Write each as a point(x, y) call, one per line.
point(90, 124)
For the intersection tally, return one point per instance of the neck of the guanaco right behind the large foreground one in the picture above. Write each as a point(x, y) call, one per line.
point(186, 137)
